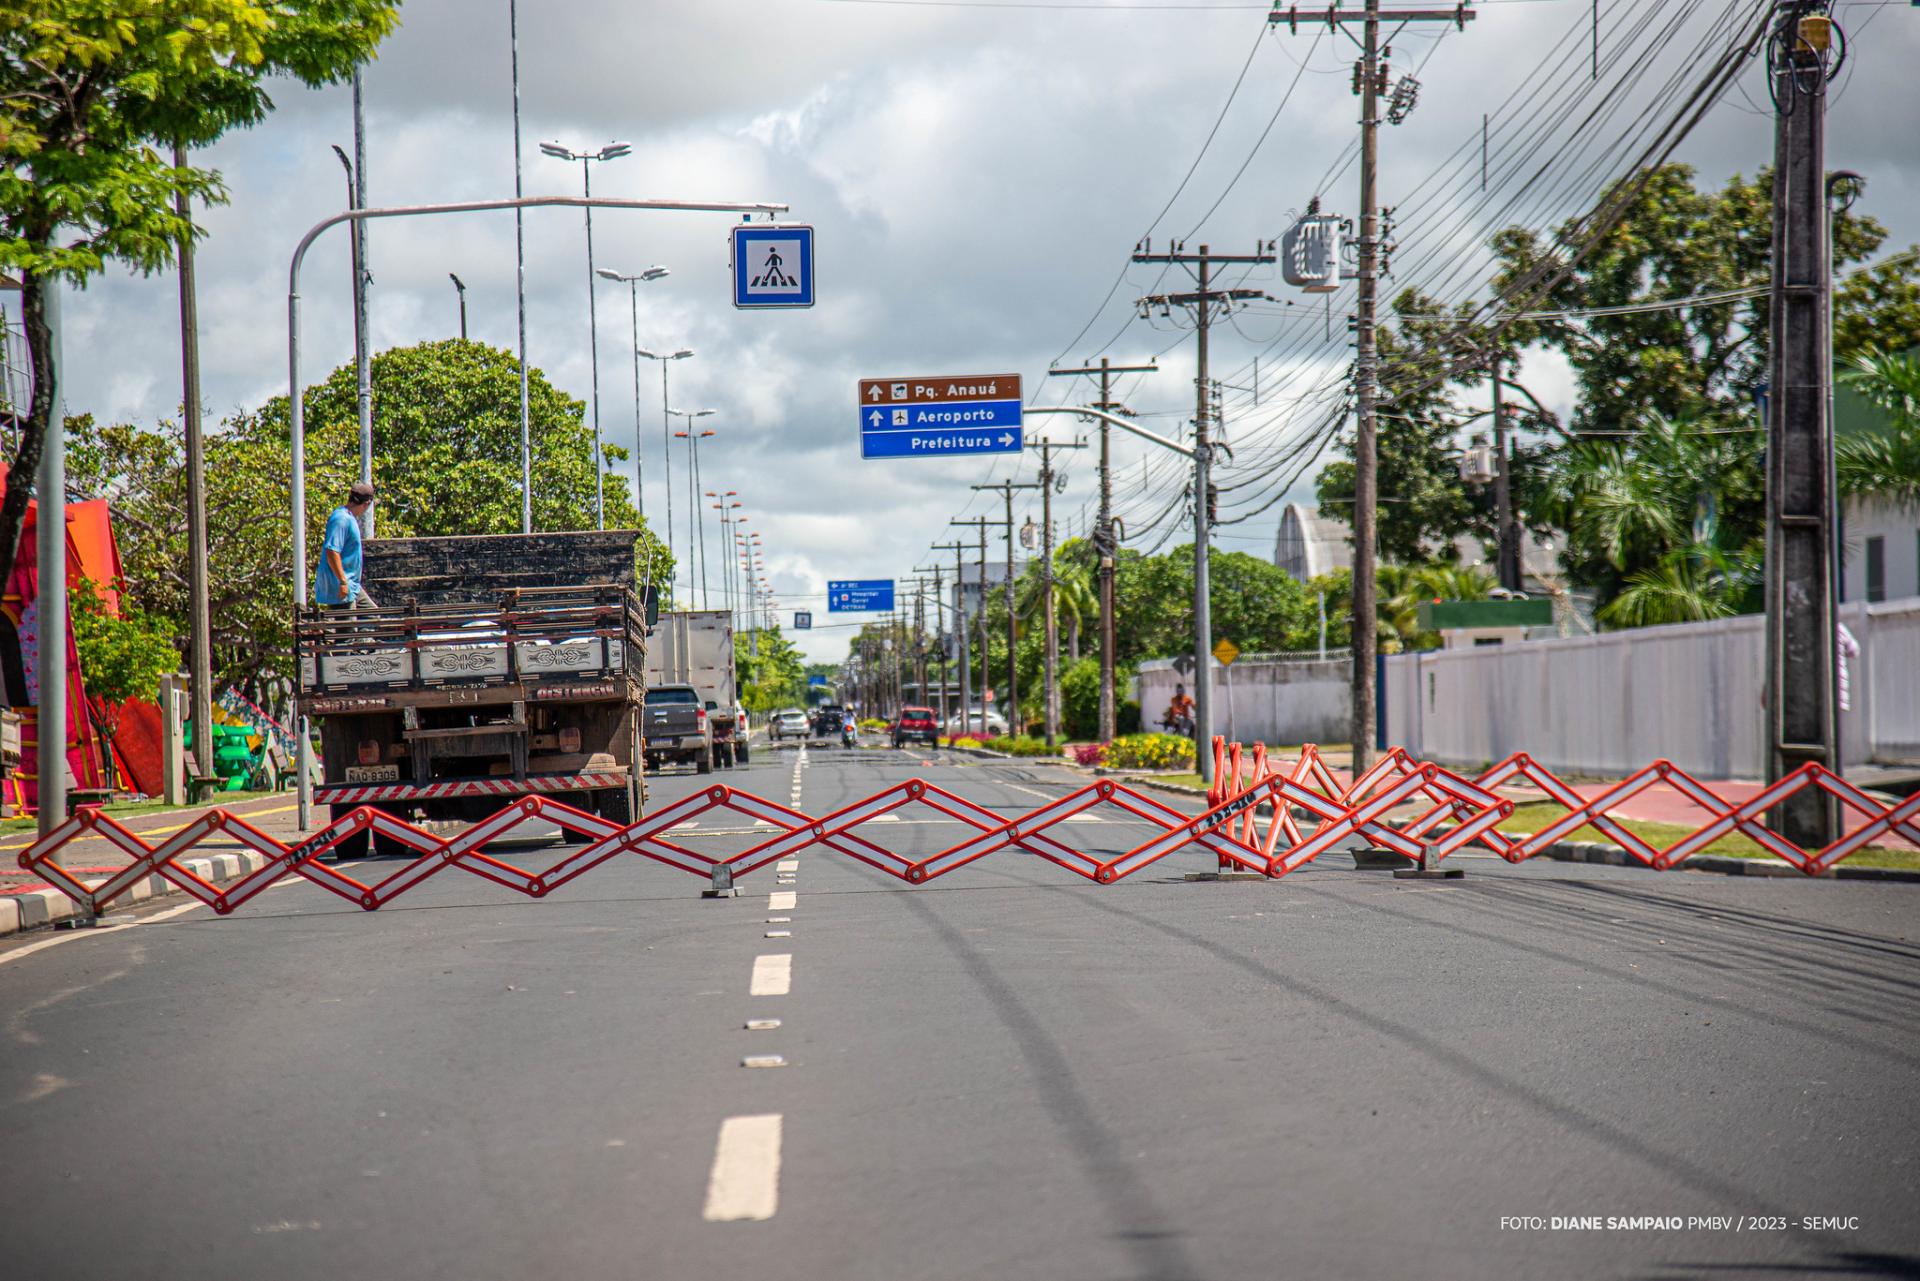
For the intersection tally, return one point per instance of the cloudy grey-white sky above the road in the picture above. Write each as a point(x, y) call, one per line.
point(978, 176)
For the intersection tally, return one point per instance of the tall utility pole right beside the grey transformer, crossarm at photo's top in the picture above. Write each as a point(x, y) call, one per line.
point(1370, 82)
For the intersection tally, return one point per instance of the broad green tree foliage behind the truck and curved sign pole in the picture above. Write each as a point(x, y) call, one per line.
point(446, 414)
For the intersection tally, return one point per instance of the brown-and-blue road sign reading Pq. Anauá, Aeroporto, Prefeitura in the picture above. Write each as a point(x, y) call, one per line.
point(940, 418)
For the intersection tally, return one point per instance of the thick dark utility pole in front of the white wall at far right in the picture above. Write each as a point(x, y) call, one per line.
point(1802, 692)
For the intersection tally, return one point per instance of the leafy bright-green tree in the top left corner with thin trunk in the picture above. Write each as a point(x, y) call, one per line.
point(93, 101)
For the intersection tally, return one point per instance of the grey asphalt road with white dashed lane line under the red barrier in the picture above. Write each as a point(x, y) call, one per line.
point(1009, 1073)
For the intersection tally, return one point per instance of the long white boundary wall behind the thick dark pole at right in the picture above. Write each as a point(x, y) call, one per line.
point(1612, 704)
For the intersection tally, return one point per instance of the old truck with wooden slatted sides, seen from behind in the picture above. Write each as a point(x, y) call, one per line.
point(469, 687)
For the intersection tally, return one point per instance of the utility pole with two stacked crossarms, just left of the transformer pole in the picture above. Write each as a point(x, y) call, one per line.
point(1203, 306)
